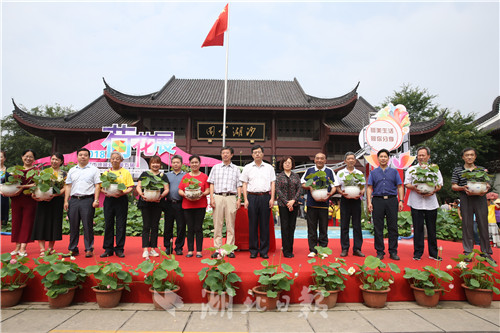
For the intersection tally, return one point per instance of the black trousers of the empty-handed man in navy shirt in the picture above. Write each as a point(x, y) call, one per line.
point(385, 208)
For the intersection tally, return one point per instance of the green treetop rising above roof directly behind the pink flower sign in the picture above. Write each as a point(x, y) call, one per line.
point(418, 102)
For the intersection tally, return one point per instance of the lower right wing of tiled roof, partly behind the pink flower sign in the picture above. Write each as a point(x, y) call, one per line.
point(359, 118)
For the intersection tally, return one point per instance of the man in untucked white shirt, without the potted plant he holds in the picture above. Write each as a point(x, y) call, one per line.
point(423, 209)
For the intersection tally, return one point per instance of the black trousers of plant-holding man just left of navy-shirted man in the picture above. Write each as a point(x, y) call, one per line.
point(350, 209)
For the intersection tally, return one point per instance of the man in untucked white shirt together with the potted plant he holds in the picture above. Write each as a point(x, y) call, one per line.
point(424, 203)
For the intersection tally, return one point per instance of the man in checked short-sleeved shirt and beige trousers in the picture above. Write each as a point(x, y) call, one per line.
point(225, 191)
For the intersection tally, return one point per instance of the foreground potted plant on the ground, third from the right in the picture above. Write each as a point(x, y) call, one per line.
point(376, 277)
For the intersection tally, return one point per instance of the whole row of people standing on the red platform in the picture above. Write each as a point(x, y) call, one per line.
point(258, 184)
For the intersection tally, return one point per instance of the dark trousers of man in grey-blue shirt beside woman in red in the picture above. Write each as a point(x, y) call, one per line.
point(173, 211)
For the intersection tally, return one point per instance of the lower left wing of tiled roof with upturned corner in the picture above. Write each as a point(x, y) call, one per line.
point(93, 116)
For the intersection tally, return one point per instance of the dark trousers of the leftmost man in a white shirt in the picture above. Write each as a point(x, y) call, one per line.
point(81, 209)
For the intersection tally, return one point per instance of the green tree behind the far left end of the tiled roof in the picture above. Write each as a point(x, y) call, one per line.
point(15, 139)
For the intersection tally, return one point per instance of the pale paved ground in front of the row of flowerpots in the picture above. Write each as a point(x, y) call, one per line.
point(449, 316)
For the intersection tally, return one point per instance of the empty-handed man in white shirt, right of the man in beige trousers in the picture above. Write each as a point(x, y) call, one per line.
point(258, 180)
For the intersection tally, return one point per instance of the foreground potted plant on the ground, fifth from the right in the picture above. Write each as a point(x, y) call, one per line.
point(273, 280)
